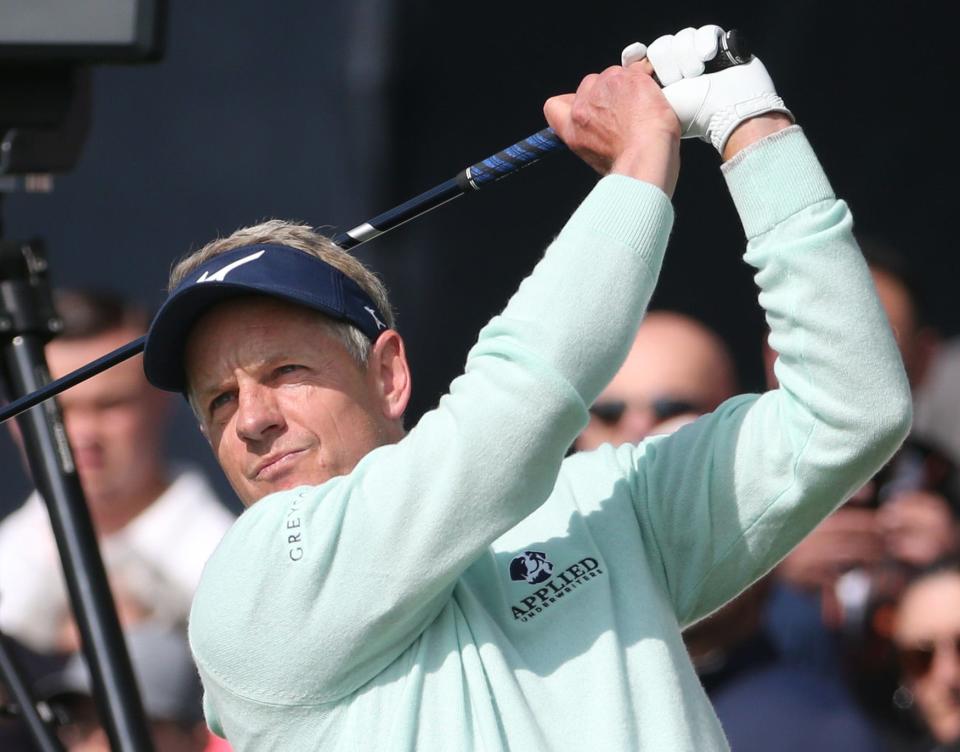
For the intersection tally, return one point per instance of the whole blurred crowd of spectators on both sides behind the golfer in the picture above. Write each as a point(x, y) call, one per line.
point(851, 643)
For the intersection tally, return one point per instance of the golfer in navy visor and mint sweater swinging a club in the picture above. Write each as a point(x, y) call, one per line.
point(367, 599)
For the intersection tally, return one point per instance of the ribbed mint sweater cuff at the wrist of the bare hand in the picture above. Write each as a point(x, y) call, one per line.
point(632, 212)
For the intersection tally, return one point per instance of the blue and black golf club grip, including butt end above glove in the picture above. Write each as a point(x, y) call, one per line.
point(733, 50)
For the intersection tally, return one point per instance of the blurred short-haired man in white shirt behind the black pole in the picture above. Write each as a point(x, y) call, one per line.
point(156, 525)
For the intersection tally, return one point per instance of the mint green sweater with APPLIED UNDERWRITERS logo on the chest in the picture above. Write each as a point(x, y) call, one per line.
point(469, 589)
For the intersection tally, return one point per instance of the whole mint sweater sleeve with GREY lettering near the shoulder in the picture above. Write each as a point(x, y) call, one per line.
point(316, 590)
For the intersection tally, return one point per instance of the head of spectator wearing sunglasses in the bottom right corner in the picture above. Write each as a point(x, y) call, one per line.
point(926, 634)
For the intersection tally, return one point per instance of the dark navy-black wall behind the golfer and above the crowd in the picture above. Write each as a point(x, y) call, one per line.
point(331, 112)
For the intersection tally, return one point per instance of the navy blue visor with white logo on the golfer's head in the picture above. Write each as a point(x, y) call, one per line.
point(277, 271)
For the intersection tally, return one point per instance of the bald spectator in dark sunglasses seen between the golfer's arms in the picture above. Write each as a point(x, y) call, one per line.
point(676, 368)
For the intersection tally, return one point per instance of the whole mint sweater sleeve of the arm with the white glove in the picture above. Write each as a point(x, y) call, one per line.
point(725, 498)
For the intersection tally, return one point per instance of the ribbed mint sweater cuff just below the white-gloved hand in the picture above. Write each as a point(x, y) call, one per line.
point(774, 179)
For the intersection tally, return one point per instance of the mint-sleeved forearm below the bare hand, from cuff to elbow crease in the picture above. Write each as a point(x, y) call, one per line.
point(579, 310)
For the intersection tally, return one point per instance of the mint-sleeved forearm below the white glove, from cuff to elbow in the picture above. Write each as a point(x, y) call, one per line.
point(836, 352)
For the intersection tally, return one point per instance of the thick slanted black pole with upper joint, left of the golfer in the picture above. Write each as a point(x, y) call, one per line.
point(25, 304)
